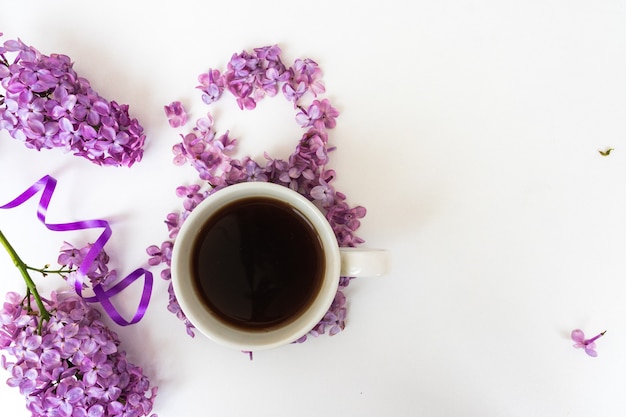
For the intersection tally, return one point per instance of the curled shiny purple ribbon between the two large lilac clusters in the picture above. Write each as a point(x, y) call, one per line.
point(101, 295)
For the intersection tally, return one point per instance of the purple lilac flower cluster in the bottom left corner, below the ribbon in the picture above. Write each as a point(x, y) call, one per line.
point(70, 365)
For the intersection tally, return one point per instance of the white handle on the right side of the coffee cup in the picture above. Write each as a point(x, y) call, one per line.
point(363, 262)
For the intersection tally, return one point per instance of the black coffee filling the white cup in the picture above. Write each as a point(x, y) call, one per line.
point(258, 263)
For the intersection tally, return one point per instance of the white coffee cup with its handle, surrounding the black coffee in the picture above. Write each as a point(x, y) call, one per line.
point(352, 262)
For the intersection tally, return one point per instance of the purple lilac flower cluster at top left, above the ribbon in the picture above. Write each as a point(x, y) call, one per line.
point(46, 105)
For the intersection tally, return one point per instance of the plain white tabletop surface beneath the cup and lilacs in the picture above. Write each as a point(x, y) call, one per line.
point(469, 129)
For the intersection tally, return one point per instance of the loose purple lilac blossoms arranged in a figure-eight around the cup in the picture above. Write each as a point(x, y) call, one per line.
point(251, 76)
